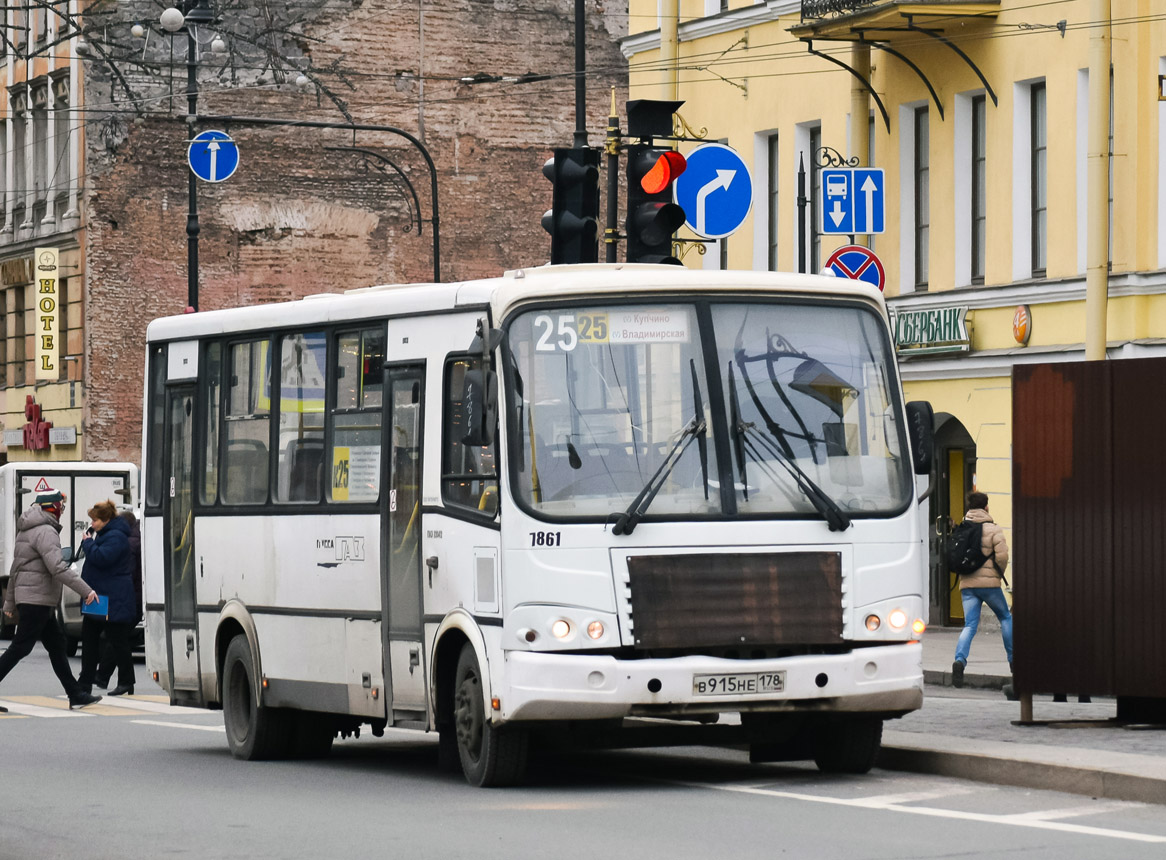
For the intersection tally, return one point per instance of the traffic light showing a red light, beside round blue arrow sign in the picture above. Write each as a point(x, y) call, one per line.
point(652, 216)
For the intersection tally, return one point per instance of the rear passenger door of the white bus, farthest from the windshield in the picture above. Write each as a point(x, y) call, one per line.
point(179, 527)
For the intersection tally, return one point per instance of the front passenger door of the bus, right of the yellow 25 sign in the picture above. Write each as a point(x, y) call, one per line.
point(402, 542)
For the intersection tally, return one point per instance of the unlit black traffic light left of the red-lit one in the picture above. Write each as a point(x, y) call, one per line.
point(573, 218)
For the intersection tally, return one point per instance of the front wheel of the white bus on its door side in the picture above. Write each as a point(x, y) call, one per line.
point(490, 756)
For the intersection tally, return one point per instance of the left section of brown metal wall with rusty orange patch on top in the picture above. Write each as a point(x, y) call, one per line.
point(1062, 535)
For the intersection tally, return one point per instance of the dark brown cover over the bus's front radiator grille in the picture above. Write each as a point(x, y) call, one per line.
point(725, 601)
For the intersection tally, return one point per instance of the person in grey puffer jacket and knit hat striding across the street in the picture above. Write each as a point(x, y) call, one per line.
point(34, 590)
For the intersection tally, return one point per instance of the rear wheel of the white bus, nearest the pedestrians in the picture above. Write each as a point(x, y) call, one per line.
point(254, 732)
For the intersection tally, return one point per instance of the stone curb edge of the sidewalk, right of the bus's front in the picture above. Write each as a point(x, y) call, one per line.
point(1001, 771)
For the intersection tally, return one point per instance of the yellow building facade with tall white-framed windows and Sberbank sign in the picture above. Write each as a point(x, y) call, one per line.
point(979, 115)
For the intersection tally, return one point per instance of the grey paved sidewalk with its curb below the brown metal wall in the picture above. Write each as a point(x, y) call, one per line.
point(971, 734)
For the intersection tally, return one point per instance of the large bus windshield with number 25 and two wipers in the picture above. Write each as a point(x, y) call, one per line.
point(616, 410)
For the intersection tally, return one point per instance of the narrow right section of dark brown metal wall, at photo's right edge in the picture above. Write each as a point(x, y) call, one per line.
point(1140, 533)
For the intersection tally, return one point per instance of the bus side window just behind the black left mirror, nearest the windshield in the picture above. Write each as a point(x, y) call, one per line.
point(469, 473)
